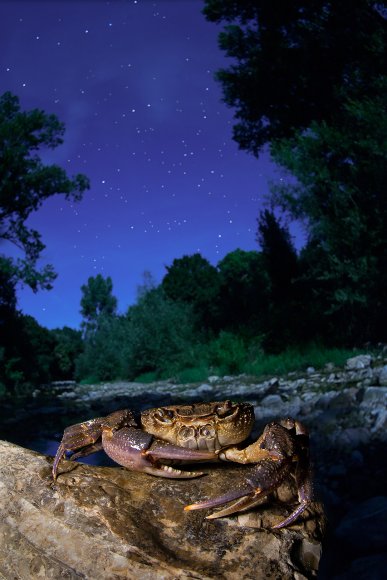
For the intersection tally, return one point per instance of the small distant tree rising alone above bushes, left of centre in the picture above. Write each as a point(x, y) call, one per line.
point(97, 302)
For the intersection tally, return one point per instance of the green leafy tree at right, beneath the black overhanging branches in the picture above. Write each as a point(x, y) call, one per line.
point(340, 194)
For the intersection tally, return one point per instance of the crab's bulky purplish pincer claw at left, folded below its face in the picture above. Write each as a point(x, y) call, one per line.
point(130, 447)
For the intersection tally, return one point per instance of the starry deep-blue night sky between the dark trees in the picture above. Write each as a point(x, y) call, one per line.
point(133, 81)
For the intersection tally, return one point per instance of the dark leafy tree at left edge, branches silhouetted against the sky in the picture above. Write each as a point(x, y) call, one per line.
point(25, 183)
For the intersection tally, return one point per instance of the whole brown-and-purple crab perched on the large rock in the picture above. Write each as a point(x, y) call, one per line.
point(201, 432)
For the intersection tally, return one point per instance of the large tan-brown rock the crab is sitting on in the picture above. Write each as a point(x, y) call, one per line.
point(100, 522)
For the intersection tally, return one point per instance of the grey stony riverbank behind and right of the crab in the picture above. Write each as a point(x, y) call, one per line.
point(346, 412)
